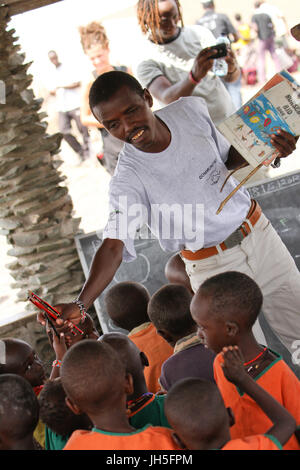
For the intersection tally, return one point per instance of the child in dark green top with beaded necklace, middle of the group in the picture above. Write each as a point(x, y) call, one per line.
point(143, 407)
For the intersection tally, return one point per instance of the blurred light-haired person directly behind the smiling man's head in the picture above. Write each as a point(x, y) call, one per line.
point(95, 45)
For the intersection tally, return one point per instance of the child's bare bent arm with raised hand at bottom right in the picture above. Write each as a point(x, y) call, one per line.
point(284, 423)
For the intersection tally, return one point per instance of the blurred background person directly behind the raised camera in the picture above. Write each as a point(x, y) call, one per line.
point(220, 25)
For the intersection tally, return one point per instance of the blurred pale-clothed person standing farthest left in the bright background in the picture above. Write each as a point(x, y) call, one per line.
point(66, 87)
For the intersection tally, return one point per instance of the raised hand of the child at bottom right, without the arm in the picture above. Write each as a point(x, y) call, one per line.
point(233, 365)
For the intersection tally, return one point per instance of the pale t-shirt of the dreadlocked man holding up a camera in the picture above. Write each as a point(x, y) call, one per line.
point(175, 59)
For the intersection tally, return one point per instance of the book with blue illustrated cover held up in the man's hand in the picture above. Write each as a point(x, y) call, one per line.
point(275, 106)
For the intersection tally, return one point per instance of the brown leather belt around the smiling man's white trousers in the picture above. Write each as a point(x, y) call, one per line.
point(234, 239)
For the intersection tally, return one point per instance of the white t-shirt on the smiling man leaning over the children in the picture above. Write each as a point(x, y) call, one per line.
point(176, 192)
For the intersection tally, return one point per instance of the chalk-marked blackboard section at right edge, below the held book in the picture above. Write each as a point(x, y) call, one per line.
point(279, 199)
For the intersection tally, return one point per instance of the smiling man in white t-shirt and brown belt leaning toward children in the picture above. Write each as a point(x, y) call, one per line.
point(169, 176)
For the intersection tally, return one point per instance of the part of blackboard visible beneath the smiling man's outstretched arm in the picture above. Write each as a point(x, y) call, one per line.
point(147, 268)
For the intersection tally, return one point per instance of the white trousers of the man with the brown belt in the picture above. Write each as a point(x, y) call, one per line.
point(263, 256)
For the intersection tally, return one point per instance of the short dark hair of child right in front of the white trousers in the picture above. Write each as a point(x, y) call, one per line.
point(234, 292)
